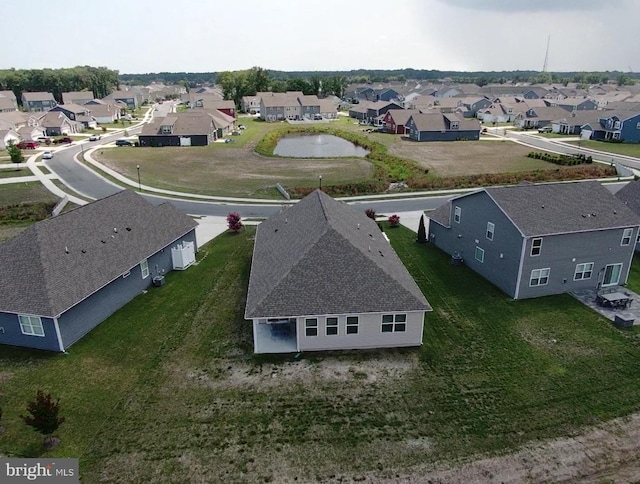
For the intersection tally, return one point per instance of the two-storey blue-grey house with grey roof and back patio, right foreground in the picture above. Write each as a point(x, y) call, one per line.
point(534, 240)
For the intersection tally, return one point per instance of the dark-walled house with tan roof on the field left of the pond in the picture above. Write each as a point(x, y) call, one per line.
point(188, 128)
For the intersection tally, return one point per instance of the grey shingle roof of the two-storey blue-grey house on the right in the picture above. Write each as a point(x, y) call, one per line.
point(554, 208)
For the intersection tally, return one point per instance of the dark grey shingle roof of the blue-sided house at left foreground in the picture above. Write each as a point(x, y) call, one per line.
point(45, 271)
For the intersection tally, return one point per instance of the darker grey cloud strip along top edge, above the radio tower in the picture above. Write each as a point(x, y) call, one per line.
point(518, 6)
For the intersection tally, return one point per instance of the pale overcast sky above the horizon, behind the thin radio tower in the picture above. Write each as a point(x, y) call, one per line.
point(139, 36)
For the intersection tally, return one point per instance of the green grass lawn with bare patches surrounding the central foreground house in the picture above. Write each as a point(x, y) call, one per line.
point(167, 390)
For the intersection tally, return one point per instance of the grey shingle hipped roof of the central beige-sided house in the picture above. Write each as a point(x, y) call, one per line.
point(321, 256)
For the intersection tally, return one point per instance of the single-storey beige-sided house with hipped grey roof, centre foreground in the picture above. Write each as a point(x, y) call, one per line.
point(324, 277)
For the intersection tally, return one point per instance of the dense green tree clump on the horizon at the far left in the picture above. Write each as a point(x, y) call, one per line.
point(100, 80)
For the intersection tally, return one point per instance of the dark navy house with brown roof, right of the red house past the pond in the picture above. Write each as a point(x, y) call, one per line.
point(437, 126)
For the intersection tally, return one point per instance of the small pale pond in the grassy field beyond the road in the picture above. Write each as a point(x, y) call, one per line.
point(317, 146)
